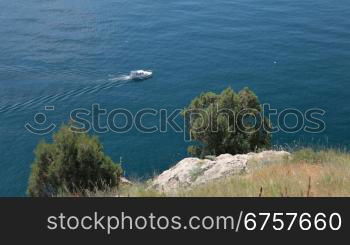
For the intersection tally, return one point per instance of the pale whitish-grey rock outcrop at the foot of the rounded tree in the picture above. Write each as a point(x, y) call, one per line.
point(194, 171)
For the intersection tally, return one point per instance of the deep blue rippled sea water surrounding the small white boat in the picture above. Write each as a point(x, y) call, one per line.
point(62, 53)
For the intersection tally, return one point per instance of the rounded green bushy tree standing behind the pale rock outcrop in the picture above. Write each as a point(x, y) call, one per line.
point(228, 122)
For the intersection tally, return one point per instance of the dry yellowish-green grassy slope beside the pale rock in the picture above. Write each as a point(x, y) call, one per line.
point(309, 173)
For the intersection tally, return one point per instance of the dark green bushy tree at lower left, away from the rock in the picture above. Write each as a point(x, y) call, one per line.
point(73, 162)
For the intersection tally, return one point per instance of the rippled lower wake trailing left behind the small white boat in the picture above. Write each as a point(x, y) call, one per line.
point(112, 82)
